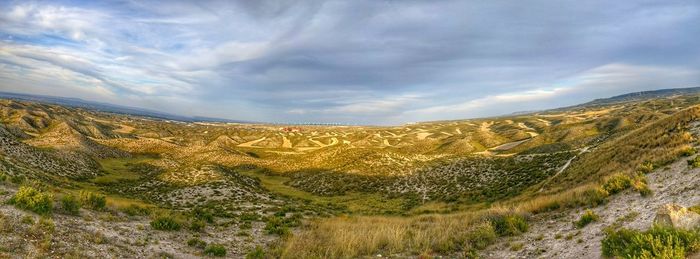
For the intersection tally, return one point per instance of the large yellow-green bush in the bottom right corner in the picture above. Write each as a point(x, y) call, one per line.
point(657, 242)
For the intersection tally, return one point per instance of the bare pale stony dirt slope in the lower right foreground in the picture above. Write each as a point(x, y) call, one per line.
point(676, 183)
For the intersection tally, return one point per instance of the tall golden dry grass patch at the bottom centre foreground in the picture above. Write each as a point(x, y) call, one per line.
point(346, 237)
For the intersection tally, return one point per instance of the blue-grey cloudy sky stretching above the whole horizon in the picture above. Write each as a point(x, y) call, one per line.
point(352, 62)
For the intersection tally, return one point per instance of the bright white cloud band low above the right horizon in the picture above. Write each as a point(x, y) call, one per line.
point(600, 82)
